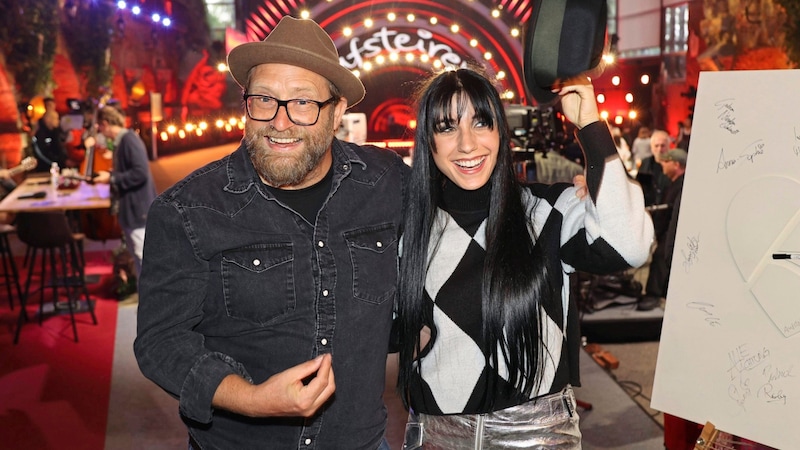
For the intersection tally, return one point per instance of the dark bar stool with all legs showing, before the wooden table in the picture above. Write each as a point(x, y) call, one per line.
point(51, 233)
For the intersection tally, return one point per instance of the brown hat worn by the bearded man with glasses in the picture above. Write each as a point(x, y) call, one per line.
point(297, 42)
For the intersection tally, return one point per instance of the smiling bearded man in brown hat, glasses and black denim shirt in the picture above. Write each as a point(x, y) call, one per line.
point(270, 275)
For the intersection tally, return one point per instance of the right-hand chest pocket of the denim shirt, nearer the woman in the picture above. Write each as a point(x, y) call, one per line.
point(373, 254)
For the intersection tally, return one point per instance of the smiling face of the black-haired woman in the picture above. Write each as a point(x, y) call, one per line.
point(466, 149)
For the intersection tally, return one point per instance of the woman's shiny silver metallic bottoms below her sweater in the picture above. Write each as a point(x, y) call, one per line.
point(548, 422)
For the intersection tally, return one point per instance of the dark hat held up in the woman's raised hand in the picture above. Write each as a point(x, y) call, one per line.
point(563, 39)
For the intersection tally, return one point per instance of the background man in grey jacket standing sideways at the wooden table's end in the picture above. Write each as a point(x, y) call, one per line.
point(132, 185)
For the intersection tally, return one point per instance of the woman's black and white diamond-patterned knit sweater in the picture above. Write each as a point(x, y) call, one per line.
point(606, 232)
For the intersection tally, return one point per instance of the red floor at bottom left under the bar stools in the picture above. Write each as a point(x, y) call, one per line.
point(53, 393)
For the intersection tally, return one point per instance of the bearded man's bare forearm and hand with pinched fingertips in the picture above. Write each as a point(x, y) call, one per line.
point(298, 391)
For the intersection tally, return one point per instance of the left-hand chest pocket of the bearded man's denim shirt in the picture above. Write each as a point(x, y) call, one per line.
point(258, 282)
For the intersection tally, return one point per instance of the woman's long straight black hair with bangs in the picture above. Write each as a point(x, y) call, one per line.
point(514, 278)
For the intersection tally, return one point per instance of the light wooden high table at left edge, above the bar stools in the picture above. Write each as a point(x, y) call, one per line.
point(84, 196)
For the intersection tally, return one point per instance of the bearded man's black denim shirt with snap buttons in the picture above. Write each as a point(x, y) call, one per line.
point(236, 282)
